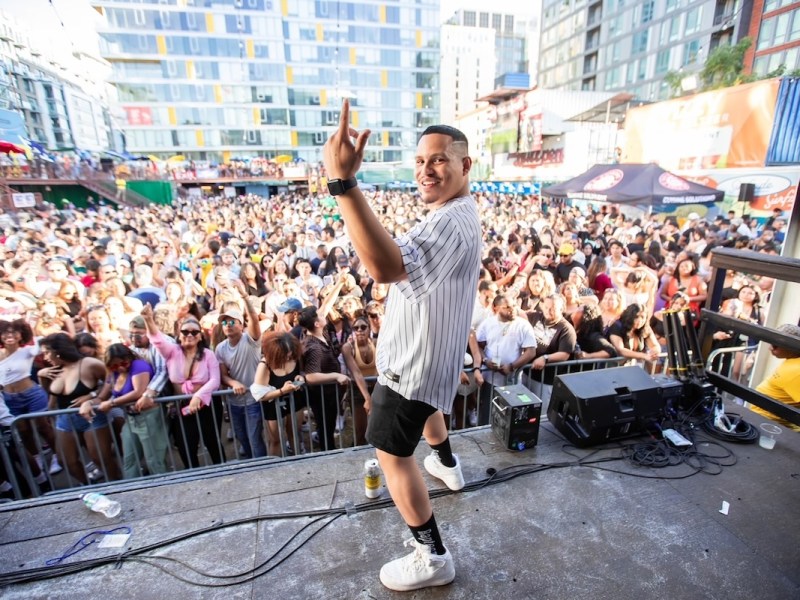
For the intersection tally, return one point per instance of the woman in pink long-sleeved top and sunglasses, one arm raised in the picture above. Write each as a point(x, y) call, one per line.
point(194, 371)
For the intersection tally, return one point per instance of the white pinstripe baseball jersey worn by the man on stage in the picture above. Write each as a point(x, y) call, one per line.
point(424, 333)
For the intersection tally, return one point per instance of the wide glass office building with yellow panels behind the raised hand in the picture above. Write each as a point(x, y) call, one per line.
point(220, 79)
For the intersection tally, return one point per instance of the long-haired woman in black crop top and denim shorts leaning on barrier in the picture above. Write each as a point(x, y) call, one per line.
point(71, 381)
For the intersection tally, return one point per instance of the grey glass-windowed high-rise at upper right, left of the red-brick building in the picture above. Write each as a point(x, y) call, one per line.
point(629, 45)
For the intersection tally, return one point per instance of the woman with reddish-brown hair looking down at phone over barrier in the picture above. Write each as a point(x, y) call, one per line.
point(279, 374)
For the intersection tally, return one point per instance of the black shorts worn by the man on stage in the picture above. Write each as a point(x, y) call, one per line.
point(395, 423)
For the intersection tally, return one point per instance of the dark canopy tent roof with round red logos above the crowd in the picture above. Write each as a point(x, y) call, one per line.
point(634, 184)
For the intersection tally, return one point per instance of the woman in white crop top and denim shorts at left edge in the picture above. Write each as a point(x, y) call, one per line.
point(18, 348)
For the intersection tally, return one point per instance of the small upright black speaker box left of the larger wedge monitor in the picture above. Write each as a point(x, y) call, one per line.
point(515, 416)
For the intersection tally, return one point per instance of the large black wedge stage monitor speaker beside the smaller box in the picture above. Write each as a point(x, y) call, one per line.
point(607, 404)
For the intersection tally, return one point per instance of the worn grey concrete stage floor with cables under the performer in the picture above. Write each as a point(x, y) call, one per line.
point(560, 533)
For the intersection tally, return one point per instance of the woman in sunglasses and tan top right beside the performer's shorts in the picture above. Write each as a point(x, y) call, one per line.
point(359, 358)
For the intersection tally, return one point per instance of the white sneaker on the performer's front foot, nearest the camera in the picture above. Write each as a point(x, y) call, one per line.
point(417, 570)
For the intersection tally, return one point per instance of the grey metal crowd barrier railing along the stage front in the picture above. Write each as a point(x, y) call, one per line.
point(162, 441)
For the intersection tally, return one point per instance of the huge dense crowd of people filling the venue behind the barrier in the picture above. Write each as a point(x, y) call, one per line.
point(107, 309)
